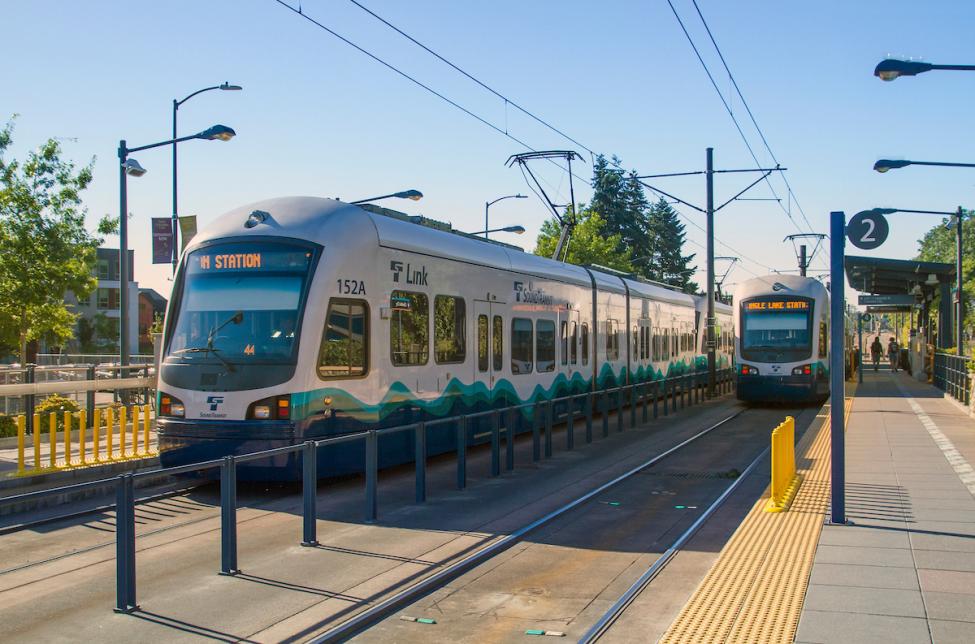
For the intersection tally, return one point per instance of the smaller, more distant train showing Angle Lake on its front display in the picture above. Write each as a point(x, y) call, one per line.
point(782, 348)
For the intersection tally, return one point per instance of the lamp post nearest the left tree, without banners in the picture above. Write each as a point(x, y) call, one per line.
point(129, 166)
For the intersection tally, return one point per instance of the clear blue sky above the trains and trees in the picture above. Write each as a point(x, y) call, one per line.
point(318, 118)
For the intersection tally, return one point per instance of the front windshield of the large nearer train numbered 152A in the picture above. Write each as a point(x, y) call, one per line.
point(240, 304)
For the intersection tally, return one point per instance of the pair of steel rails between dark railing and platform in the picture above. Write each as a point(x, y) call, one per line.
point(377, 613)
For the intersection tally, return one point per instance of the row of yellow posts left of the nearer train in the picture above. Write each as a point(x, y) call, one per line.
point(133, 423)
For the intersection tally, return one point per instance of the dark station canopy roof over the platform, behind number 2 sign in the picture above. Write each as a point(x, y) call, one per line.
point(882, 276)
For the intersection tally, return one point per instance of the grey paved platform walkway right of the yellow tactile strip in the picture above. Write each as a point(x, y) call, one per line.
point(905, 570)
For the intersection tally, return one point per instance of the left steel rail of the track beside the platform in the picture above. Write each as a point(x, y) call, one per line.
point(371, 616)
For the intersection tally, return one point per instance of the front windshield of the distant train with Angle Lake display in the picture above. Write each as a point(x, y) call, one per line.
point(776, 330)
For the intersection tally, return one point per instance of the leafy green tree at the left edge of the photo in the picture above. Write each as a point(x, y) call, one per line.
point(45, 249)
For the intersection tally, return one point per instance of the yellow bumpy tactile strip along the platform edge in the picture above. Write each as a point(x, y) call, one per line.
point(754, 592)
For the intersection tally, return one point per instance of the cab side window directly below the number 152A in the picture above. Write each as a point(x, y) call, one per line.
point(343, 353)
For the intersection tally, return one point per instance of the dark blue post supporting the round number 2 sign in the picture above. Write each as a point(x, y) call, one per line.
point(836, 383)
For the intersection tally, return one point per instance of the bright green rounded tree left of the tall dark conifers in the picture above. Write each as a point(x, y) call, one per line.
point(591, 243)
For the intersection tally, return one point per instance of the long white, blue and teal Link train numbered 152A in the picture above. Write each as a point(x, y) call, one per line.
point(303, 317)
